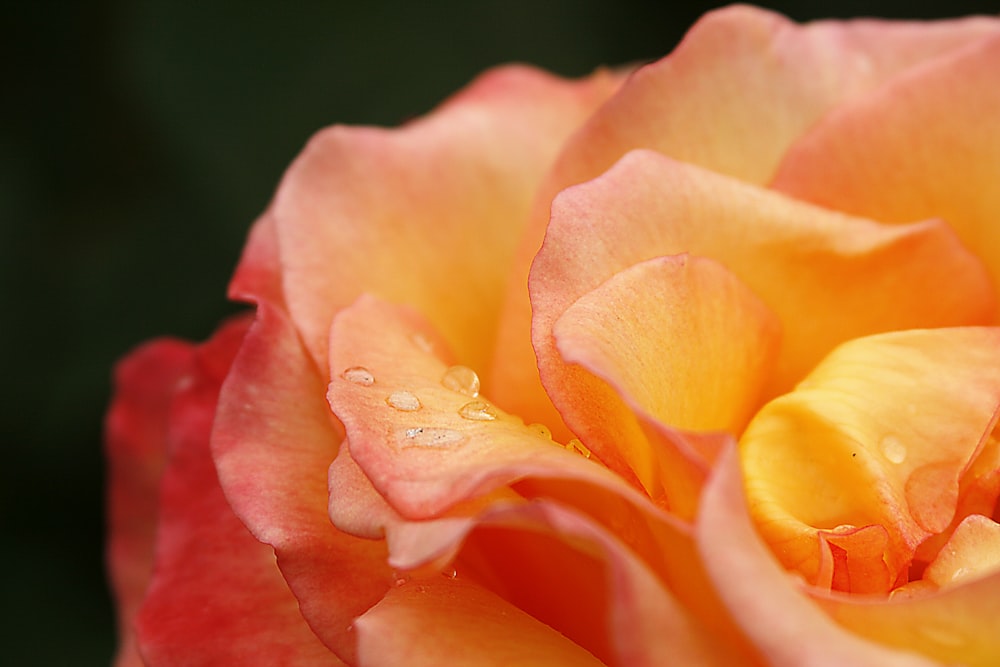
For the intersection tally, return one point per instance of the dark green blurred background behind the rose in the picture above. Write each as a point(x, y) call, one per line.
point(140, 138)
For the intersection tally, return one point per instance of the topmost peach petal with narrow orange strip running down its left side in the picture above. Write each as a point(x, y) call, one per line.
point(742, 86)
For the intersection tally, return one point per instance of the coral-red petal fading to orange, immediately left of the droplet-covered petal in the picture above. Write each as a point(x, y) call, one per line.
point(273, 441)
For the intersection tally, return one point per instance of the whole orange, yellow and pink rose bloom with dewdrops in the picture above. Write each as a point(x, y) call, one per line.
point(769, 204)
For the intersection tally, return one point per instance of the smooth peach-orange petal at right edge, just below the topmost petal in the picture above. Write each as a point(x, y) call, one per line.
point(925, 145)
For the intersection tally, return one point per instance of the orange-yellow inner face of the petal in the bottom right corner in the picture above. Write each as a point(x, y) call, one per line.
point(957, 625)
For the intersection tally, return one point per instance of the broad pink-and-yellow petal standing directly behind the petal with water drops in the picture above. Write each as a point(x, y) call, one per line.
point(430, 213)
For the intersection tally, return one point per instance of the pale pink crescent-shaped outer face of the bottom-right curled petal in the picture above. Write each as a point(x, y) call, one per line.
point(780, 620)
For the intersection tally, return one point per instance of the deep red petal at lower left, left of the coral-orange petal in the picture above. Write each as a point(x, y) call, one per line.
point(216, 596)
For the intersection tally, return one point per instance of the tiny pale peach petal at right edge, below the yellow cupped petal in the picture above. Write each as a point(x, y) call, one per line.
point(973, 551)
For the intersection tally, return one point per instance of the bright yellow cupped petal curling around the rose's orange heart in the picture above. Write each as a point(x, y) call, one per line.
point(878, 435)
